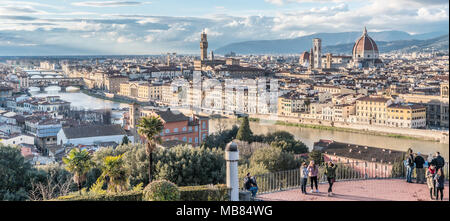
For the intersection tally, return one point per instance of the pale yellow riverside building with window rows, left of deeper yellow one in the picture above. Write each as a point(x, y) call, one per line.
point(372, 110)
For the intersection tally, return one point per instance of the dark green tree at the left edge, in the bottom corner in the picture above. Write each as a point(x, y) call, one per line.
point(15, 174)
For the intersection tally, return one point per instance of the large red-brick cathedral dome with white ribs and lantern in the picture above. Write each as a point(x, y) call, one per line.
point(365, 48)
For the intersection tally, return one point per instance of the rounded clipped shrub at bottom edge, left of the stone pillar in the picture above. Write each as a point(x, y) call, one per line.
point(161, 190)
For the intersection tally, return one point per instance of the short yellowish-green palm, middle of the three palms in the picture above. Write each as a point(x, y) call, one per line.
point(114, 170)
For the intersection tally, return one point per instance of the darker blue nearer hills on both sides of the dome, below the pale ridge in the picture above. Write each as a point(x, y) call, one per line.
point(439, 43)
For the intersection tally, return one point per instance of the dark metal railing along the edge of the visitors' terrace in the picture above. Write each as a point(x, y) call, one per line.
point(291, 179)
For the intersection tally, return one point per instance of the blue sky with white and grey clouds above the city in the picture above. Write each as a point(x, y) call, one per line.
point(161, 26)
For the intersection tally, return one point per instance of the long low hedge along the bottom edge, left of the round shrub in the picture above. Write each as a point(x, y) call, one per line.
point(123, 196)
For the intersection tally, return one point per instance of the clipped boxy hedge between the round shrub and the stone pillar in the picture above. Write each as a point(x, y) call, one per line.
point(219, 192)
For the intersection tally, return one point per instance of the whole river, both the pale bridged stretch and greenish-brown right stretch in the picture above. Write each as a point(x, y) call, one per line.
point(306, 135)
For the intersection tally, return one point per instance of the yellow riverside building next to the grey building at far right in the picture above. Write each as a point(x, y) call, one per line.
point(407, 116)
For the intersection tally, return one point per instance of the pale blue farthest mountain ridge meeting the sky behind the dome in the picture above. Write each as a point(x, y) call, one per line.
point(300, 44)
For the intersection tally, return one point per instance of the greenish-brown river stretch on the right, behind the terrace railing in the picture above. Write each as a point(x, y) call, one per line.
point(309, 136)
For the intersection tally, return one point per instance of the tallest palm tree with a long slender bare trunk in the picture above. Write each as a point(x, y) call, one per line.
point(150, 127)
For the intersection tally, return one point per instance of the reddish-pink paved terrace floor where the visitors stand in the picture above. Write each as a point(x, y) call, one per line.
point(363, 190)
